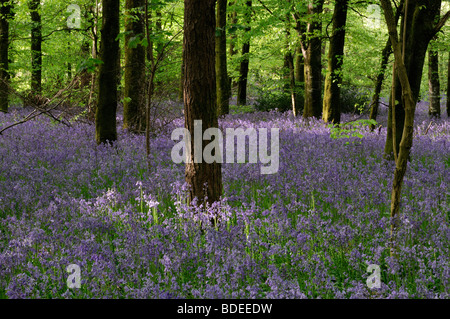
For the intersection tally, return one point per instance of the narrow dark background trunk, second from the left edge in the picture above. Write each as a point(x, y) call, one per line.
point(36, 47)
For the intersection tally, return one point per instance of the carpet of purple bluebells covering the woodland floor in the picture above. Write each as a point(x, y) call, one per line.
point(308, 231)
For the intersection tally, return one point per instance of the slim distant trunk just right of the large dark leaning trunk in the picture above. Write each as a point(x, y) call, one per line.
point(434, 85)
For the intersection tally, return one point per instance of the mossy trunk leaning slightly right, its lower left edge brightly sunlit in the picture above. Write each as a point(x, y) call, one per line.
point(331, 100)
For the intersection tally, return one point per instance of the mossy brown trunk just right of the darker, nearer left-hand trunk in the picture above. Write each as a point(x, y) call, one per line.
point(134, 90)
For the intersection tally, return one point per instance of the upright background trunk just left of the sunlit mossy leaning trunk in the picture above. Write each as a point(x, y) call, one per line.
point(313, 63)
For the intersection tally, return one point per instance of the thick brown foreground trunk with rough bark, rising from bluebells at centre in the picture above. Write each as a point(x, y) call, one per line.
point(200, 93)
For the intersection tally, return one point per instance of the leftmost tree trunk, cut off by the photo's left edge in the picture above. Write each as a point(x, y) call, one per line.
point(5, 15)
